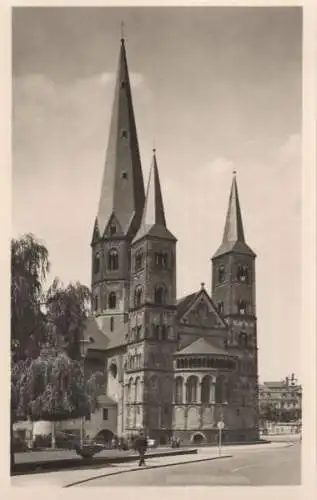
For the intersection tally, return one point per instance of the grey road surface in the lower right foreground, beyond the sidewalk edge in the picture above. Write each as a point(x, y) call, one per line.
point(273, 466)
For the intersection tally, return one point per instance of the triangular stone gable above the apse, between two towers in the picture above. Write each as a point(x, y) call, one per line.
point(200, 311)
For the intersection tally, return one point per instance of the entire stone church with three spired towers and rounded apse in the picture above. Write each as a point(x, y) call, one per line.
point(174, 366)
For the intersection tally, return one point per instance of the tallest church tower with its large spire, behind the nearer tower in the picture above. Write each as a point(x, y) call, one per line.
point(119, 211)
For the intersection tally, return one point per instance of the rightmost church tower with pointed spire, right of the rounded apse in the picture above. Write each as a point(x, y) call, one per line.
point(233, 292)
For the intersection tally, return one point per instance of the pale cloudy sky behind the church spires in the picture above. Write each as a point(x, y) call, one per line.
point(215, 89)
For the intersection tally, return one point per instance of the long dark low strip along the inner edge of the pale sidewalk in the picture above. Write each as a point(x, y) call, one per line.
point(77, 462)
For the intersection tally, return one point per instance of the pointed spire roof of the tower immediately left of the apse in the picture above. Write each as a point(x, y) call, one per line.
point(153, 218)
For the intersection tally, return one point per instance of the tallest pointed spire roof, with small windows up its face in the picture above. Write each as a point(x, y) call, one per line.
point(122, 191)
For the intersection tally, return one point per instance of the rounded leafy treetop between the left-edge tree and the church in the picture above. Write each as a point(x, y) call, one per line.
point(67, 309)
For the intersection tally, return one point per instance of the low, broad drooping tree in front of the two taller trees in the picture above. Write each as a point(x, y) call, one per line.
point(52, 387)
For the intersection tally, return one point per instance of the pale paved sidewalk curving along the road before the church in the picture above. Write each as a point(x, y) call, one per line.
point(66, 478)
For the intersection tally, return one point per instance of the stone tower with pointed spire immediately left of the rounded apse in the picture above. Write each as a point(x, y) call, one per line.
point(152, 334)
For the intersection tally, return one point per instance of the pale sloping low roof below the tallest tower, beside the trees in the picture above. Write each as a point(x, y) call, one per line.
point(102, 338)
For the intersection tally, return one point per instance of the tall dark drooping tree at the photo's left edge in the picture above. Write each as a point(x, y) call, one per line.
point(29, 268)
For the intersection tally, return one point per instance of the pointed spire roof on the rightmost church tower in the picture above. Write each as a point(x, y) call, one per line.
point(233, 236)
